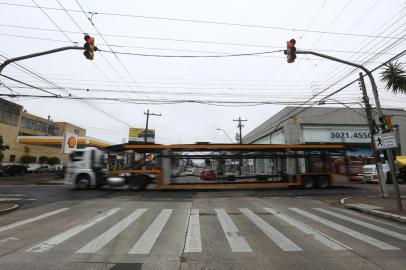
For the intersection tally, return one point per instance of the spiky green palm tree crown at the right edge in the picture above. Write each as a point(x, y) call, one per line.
point(394, 76)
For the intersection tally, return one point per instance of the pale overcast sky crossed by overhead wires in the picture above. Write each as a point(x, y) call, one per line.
point(367, 32)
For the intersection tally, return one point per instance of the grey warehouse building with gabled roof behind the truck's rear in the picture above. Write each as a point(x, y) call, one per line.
point(323, 125)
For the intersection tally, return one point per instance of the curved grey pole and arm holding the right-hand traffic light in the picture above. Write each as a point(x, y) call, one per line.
point(380, 113)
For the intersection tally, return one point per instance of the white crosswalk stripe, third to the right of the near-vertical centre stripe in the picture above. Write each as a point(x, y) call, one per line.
point(319, 236)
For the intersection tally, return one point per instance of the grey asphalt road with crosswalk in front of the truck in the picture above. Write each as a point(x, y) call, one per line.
point(225, 229)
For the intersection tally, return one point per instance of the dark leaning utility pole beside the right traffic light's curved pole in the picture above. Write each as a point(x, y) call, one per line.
point(372, 131)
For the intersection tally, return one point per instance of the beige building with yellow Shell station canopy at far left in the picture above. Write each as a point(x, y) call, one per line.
point(28, 134)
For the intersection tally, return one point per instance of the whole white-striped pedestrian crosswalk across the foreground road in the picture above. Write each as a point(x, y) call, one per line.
point(313, 223)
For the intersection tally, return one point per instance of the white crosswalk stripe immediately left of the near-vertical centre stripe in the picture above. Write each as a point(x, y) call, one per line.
point(147, 240)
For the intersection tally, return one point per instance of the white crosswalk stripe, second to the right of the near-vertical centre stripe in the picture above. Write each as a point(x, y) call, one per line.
point(278, 238)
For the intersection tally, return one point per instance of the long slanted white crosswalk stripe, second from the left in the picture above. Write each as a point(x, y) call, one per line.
point(56, 240)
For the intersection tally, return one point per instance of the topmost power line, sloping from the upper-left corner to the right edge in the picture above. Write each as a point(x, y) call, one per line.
point(205, 22)
